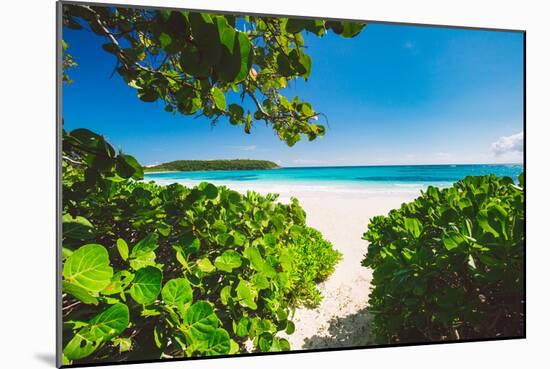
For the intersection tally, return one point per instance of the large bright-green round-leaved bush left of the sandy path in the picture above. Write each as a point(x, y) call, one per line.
point(155, 271)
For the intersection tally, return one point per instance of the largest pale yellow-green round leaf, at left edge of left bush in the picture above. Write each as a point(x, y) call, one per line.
point(88, 267)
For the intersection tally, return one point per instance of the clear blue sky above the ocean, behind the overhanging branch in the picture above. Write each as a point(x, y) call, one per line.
point(395, 94)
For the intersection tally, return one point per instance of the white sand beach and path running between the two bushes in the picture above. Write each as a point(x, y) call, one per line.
point(341, 214)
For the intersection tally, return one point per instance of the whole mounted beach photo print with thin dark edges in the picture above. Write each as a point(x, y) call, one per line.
point(245, 184)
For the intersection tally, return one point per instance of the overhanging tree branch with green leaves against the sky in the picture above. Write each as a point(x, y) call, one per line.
point(196, 62)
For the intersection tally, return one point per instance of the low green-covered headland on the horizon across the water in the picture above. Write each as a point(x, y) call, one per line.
point(201, 165)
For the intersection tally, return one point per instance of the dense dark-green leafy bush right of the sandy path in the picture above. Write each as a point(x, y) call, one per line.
point(449, 265)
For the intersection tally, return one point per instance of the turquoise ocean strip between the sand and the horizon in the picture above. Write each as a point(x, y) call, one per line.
point(357, 177)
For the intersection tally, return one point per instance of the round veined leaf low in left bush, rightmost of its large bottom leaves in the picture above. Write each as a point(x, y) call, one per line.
point(201, 321)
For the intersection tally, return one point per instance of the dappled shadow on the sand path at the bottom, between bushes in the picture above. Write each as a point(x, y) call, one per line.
point(350, 331)
